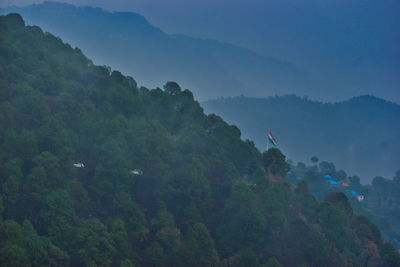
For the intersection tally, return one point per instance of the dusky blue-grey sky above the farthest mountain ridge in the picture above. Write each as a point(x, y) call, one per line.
point(352, 43)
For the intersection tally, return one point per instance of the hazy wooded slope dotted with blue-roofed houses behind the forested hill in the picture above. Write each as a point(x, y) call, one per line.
point(379, 200)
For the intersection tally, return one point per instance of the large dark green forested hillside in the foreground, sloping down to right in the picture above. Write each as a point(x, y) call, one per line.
point(162, 184)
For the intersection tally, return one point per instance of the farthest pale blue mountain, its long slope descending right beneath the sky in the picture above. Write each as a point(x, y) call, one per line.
point(128, 42)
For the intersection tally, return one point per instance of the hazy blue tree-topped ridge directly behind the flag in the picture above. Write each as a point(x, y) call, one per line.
point(360, 135)
